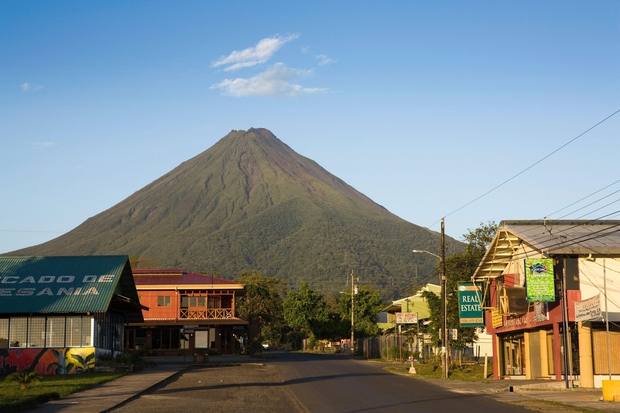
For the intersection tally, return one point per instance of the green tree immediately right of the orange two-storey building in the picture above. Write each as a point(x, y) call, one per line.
point(261, 306)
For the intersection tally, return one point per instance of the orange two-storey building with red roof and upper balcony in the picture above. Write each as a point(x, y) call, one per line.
point(189, 313)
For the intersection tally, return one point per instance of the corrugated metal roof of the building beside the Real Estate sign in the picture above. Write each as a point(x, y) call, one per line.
point(549, 238)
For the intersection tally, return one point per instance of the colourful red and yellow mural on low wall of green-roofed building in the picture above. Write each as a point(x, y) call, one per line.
point(47, 360)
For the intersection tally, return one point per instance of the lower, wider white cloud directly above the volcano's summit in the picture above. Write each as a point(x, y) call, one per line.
point(275, 81)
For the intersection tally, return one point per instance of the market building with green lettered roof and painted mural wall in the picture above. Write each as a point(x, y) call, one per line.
point(58, 313)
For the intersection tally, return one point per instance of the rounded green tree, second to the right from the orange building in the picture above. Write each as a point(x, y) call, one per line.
point(306, 312)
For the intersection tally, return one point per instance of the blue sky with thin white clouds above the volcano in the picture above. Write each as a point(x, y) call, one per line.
point(422, 106)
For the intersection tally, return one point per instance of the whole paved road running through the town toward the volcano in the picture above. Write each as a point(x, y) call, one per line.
point(293, 382)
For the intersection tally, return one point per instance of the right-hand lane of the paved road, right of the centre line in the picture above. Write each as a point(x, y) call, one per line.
point(324, 384)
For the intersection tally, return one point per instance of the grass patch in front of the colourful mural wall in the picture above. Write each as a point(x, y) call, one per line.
point(12, 399)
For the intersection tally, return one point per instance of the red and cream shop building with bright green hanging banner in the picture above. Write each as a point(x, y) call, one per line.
point(551, 296)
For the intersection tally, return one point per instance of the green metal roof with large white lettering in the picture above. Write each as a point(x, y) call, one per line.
point(63, 284)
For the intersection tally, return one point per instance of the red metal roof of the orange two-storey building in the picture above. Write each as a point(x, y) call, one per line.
point(175, 276)
